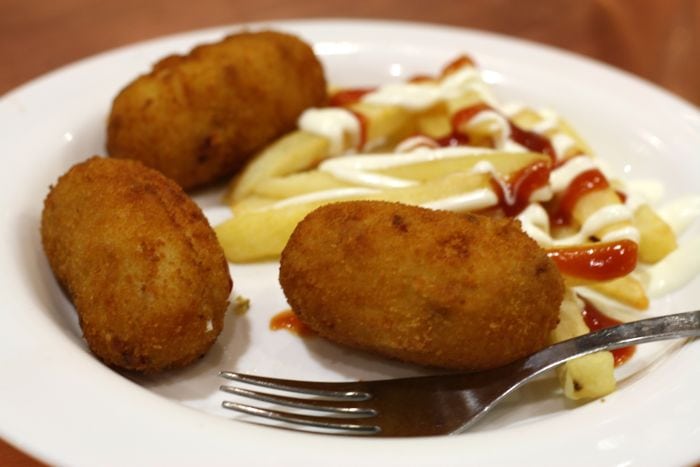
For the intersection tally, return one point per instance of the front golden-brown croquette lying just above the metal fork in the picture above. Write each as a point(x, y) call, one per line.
point(427, 287)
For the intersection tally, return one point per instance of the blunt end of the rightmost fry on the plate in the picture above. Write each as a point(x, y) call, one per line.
point(656, 238)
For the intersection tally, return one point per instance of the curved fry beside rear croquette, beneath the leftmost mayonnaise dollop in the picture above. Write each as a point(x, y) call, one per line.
point(293, 152)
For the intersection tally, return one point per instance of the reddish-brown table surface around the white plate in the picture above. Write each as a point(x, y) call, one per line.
point(658, 41)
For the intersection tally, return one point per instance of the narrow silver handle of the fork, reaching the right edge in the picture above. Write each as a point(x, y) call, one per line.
point(638, 332)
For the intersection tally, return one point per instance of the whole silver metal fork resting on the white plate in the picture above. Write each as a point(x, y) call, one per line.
point(432, 405)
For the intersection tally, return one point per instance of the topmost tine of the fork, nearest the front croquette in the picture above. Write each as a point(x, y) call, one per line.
point(303, 387)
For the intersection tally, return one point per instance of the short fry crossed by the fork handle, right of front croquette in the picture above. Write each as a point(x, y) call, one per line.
point(585, 377)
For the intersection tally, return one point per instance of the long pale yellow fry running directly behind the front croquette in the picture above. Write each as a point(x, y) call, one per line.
point(254, 235)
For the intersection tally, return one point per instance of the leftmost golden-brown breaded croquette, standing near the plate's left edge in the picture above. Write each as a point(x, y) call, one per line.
point(140, 262)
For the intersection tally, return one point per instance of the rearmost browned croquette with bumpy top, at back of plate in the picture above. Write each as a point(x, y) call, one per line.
point(200, 117)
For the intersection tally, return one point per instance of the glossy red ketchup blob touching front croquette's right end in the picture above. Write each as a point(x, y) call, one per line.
point(596, 261)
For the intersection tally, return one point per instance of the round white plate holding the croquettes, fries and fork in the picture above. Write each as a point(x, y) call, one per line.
point(60, 404)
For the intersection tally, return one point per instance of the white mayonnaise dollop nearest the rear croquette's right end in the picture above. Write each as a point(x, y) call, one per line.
point(335, 124)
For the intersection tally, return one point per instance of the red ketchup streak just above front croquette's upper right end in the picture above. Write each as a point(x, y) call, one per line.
point(519, 187)
